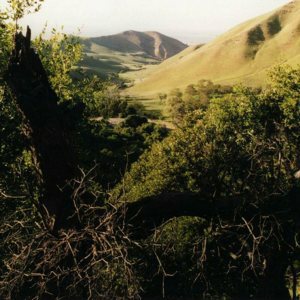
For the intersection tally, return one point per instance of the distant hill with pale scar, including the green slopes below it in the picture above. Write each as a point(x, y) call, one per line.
point(127, 51)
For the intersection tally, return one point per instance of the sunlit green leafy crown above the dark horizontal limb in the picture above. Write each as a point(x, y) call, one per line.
point(215, 148)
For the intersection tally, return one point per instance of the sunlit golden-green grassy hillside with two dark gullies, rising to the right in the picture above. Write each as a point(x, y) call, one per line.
point(244, 54)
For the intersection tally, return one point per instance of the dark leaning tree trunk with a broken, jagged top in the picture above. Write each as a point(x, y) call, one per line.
point(45, 127)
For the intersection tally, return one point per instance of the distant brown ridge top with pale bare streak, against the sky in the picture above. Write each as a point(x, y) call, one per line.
point(151, 43)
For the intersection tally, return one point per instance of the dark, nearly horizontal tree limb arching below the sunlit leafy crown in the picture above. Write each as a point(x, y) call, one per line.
point(150, 212)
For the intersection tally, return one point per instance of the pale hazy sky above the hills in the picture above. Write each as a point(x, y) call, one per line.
point(192, 21)
